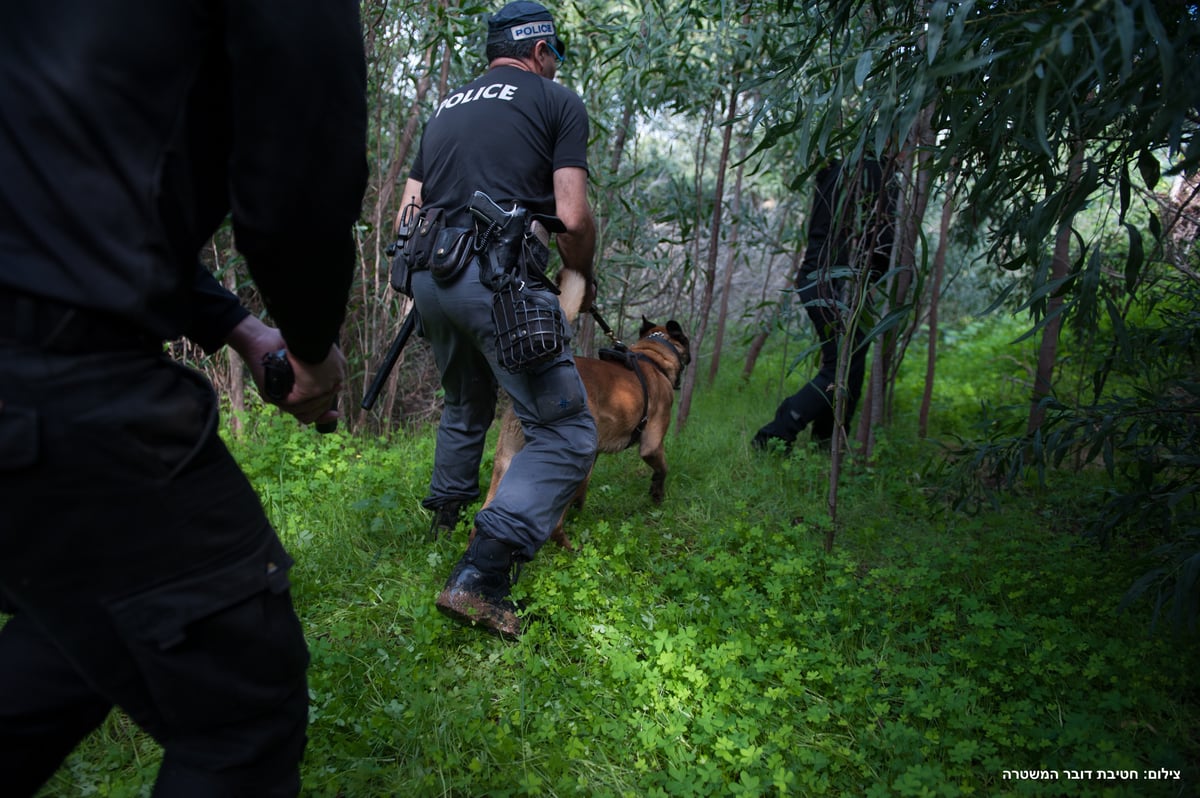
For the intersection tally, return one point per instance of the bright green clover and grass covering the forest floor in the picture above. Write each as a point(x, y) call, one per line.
point(710, 646)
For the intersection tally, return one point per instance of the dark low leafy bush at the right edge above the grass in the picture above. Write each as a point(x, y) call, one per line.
point(1137, 424)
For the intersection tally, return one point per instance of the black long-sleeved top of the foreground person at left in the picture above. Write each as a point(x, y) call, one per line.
point(130, 130)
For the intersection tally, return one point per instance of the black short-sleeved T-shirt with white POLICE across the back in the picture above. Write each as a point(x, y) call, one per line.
point(505, 134)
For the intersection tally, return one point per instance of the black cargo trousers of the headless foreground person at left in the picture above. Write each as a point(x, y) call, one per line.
point(141, 573)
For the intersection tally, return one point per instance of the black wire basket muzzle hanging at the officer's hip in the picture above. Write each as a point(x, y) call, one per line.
point(529, 328)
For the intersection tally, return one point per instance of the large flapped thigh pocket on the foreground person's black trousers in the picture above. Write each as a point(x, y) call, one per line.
point(219, 646)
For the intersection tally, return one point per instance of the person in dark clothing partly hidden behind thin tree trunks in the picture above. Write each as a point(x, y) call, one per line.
point(851, 227)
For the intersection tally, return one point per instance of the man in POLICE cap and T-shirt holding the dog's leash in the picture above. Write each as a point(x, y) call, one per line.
point(520, 139)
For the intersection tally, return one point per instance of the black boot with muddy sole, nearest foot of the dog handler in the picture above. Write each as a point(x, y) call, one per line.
point(478, 590)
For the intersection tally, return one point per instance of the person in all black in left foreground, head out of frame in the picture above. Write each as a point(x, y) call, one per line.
point(136, 561)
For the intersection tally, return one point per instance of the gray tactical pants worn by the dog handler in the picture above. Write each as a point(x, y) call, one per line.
point(561, 435)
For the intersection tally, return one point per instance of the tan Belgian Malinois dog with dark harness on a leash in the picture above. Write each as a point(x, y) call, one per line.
point(631, 394)
